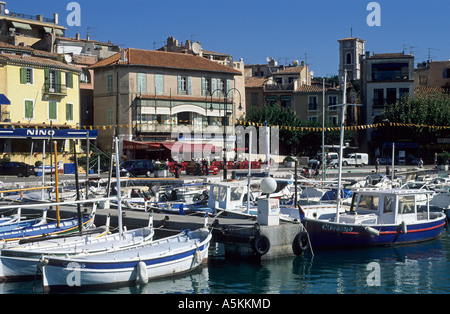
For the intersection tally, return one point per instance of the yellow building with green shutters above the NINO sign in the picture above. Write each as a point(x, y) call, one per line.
point(44, 93)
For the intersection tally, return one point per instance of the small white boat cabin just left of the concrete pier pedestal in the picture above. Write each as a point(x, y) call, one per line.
point(227, 195)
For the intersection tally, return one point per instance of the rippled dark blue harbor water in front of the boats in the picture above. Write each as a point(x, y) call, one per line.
point(411, 269)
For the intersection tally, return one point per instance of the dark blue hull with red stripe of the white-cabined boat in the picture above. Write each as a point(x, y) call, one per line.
point(326, 234)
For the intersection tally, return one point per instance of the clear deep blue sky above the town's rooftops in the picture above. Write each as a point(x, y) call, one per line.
point(285, 30)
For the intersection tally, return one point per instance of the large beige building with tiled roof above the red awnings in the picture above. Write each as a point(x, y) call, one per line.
point(149, 96)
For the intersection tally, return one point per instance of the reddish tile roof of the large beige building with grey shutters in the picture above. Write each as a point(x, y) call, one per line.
point(162, 59)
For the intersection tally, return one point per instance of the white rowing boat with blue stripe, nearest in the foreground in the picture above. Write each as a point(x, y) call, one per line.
point(160, 258)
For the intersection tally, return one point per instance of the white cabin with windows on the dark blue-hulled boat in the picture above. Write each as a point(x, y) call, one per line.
point(388, 207)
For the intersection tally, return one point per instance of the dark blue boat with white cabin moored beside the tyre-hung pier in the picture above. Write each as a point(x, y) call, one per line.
point(375, 218)
